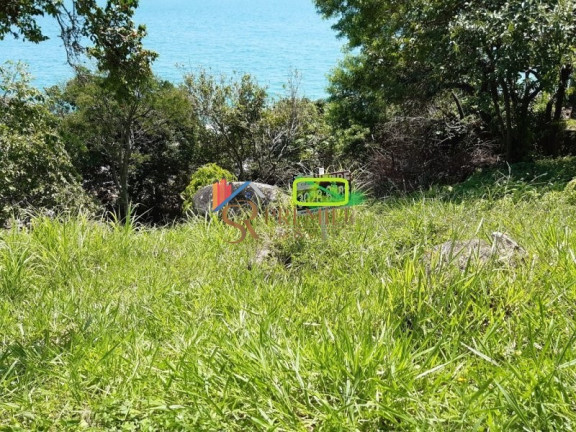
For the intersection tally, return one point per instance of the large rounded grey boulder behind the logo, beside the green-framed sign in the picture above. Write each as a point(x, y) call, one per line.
point(260, 193)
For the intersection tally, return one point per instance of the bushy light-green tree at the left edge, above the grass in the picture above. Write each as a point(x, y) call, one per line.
point(35, 169)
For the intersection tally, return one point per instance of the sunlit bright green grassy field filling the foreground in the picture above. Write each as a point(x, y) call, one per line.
point(118, 327)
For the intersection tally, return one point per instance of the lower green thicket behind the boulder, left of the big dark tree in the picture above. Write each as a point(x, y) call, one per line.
point(143, 150)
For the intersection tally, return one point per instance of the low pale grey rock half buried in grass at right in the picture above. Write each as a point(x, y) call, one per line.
point(501, 249)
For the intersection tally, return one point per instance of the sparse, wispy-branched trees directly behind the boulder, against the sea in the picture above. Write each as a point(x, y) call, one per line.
point(258, 139)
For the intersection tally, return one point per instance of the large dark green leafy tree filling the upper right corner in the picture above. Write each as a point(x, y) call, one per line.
point(498, 56)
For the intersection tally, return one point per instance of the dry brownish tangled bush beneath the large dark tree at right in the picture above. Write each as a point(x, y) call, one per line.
point(414, 152)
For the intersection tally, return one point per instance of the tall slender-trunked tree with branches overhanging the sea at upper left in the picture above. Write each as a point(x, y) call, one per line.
point(117, 48)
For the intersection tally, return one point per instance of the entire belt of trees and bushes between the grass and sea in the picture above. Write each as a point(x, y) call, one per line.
point(427, 94)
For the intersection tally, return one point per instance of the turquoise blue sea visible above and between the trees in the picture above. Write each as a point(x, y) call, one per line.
point(269, 39)
